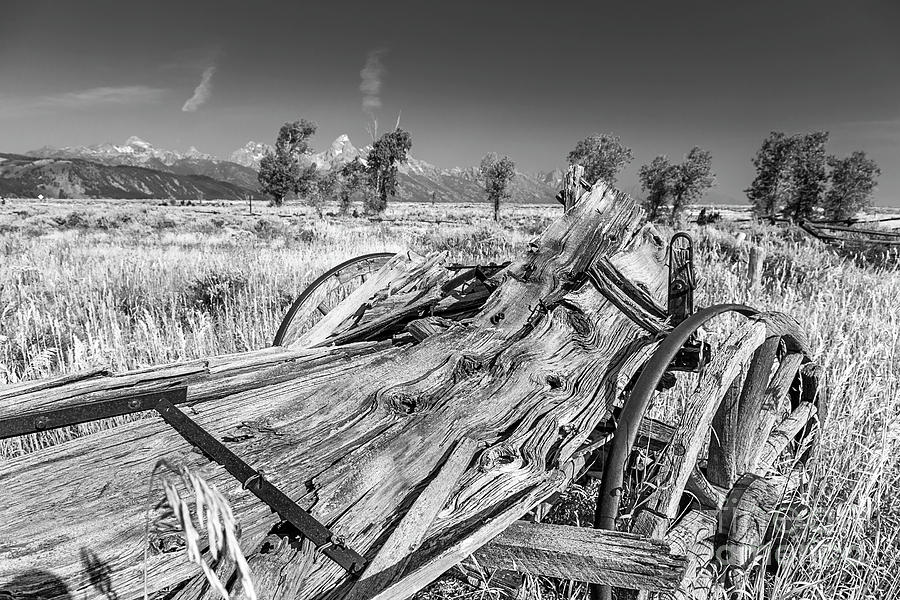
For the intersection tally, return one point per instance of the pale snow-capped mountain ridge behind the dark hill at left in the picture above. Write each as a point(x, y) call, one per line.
point(136, 152)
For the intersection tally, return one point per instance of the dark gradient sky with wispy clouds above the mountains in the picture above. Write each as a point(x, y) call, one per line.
point(522, 78)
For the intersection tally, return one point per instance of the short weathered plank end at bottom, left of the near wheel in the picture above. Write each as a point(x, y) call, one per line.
point(584, 554)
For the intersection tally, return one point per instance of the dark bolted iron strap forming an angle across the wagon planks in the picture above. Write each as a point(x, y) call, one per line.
point(165, 404)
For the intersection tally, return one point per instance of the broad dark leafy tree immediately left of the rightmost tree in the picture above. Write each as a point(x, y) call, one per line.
point(791, 175)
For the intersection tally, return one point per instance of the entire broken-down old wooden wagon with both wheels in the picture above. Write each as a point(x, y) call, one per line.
point(415, 414)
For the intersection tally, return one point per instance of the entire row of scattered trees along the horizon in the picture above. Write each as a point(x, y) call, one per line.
point(795, 177)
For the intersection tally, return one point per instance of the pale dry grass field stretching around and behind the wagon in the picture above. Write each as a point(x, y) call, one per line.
point(127, 284)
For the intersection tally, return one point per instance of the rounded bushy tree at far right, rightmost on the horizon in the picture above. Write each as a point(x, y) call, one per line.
point(853, 180)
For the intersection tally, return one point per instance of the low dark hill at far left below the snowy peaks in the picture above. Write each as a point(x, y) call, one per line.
point(78, 178)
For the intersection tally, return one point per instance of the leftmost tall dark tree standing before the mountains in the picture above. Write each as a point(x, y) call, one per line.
point(281, 171)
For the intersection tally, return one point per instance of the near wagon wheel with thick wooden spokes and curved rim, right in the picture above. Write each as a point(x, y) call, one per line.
point(755, 413)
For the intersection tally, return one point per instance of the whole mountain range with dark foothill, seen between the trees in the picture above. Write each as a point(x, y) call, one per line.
point(68, 174)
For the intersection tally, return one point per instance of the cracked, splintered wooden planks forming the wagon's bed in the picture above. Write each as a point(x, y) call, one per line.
point(354, 421)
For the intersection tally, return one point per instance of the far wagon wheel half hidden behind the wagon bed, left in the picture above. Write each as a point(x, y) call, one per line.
point(325, 293)
